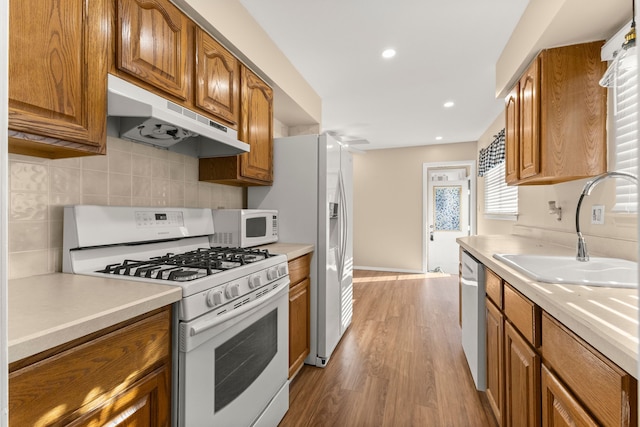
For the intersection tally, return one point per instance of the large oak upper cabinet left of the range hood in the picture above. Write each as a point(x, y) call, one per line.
point(57, 78)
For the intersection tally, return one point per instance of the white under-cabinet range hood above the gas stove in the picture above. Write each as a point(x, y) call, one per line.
point(145, 117)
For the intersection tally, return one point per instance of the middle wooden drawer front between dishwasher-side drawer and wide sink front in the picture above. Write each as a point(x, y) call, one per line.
point(523, 314)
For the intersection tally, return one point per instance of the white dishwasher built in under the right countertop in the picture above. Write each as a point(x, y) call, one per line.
point(473, 319)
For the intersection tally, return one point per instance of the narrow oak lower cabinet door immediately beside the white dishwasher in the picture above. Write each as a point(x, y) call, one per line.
point(495, 364)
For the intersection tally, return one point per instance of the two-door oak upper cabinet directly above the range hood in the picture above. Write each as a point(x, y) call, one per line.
point(160, 48)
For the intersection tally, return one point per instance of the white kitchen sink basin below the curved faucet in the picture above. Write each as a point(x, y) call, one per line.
point(610, 272)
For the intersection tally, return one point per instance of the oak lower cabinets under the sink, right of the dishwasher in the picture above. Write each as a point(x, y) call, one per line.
point(541, 373)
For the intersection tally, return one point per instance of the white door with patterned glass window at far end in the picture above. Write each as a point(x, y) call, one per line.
point(448, 217)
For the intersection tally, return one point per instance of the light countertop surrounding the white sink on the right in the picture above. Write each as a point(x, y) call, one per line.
point(606, 318)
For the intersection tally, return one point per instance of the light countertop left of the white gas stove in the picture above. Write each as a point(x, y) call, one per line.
point(52, 309)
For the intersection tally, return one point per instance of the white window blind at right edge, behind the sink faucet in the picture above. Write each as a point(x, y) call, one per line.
point(626, 136)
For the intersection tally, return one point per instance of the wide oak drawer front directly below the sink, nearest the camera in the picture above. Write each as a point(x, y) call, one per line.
point(603, 388)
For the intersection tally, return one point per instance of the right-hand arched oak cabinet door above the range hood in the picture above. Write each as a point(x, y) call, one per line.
point(217, 79)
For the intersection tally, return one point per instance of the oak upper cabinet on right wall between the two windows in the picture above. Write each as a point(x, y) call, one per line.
point(556, 118)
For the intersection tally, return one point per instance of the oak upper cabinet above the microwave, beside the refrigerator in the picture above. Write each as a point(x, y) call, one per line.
point(256, 129)
